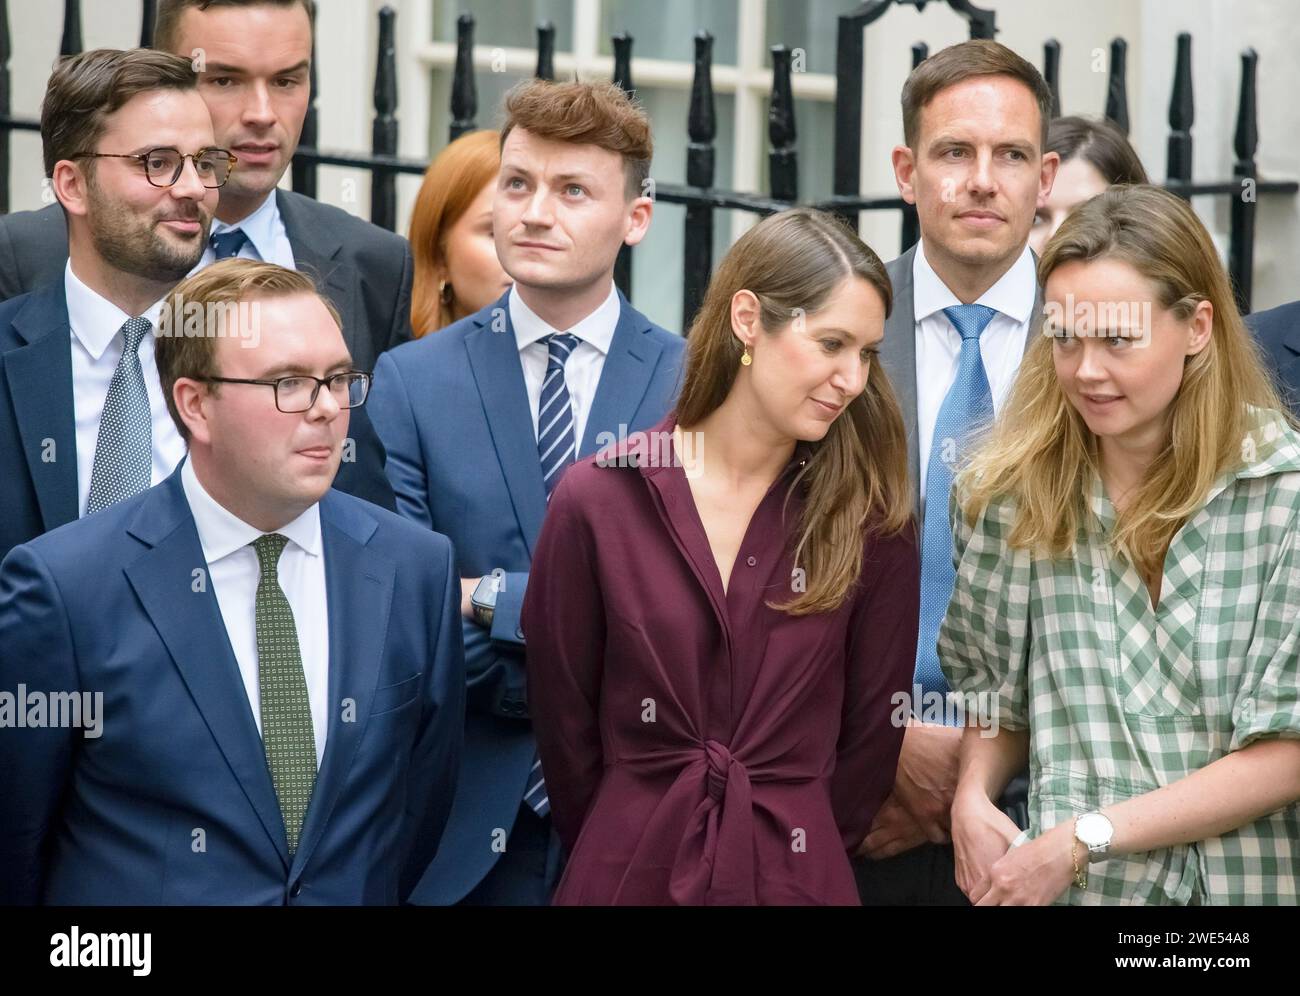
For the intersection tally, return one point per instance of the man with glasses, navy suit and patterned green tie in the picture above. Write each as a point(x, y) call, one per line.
point(281, 664)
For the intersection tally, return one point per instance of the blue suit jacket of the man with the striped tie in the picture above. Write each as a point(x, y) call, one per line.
point(453, 413)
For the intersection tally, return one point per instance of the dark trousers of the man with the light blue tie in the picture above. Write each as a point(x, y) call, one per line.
point(926, 876)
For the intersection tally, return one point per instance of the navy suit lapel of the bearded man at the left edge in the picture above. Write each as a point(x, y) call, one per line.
point(41, 384)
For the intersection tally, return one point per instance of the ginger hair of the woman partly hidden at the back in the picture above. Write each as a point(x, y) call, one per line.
point(450, 185)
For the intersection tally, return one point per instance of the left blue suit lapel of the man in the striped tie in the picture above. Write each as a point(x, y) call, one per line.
point(500, 378)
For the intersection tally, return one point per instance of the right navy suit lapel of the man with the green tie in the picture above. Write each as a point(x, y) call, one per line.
point(359, 595)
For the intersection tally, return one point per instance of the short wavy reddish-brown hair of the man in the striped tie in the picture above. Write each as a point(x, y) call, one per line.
point(586, 115)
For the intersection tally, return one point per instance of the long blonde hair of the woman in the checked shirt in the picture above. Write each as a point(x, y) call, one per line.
point(1042, 454)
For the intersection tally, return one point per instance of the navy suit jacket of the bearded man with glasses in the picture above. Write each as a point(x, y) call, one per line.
point(38, 432)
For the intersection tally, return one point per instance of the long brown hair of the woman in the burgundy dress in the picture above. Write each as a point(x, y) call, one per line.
point(856, 479)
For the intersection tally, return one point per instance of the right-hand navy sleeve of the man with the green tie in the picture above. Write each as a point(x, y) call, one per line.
point(436, 757)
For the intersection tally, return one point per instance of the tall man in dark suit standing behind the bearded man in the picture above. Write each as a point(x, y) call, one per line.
point(253, 60)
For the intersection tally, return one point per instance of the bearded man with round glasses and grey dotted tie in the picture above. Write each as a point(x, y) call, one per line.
point(132, 159)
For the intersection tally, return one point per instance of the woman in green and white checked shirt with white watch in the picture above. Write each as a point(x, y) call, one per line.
point(1128, 545)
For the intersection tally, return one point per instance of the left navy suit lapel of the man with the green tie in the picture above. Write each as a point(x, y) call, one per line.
point(192, 629)
